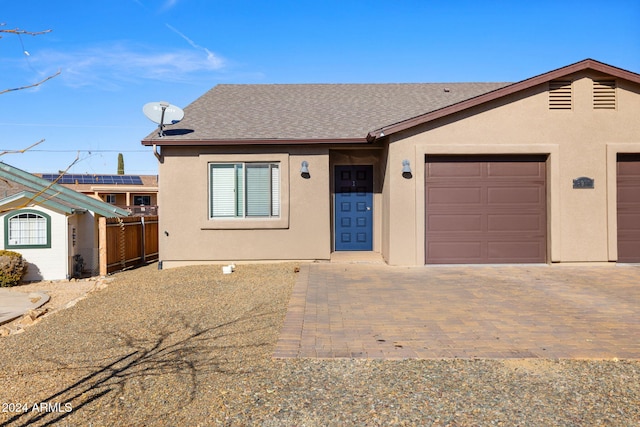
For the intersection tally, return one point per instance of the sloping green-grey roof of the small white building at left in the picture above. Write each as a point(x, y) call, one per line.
point(56, 193)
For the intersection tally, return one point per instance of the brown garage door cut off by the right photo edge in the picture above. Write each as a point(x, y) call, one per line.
point(628, 207)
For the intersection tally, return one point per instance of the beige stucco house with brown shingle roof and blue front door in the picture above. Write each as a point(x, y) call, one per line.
point(545, 170)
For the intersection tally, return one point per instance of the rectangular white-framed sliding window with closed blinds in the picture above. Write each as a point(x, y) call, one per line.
point(244, 190)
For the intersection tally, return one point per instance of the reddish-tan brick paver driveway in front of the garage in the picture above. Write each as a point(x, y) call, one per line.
point(356, 310)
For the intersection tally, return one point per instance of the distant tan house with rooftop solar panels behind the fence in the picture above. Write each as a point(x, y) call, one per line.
point(136, 193)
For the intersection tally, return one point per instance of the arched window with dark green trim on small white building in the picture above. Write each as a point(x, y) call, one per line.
point(27, 229)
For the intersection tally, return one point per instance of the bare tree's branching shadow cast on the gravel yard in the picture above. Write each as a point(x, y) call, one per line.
point(181, 348)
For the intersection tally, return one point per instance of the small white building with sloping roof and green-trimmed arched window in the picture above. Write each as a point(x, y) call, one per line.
point(54, 228)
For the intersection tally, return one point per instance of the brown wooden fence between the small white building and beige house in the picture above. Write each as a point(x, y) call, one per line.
point(128, 241)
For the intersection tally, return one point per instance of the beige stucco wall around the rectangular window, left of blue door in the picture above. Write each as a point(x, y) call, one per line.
point(188, 236)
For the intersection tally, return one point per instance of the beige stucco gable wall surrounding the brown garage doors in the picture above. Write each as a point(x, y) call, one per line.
point(580, 142)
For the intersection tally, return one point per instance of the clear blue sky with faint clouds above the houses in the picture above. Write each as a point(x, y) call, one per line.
point(115, 56)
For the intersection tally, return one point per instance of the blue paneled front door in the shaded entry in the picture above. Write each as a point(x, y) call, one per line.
point(353, 208)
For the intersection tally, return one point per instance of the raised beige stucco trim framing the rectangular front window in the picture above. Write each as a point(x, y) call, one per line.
point(227, 223)
